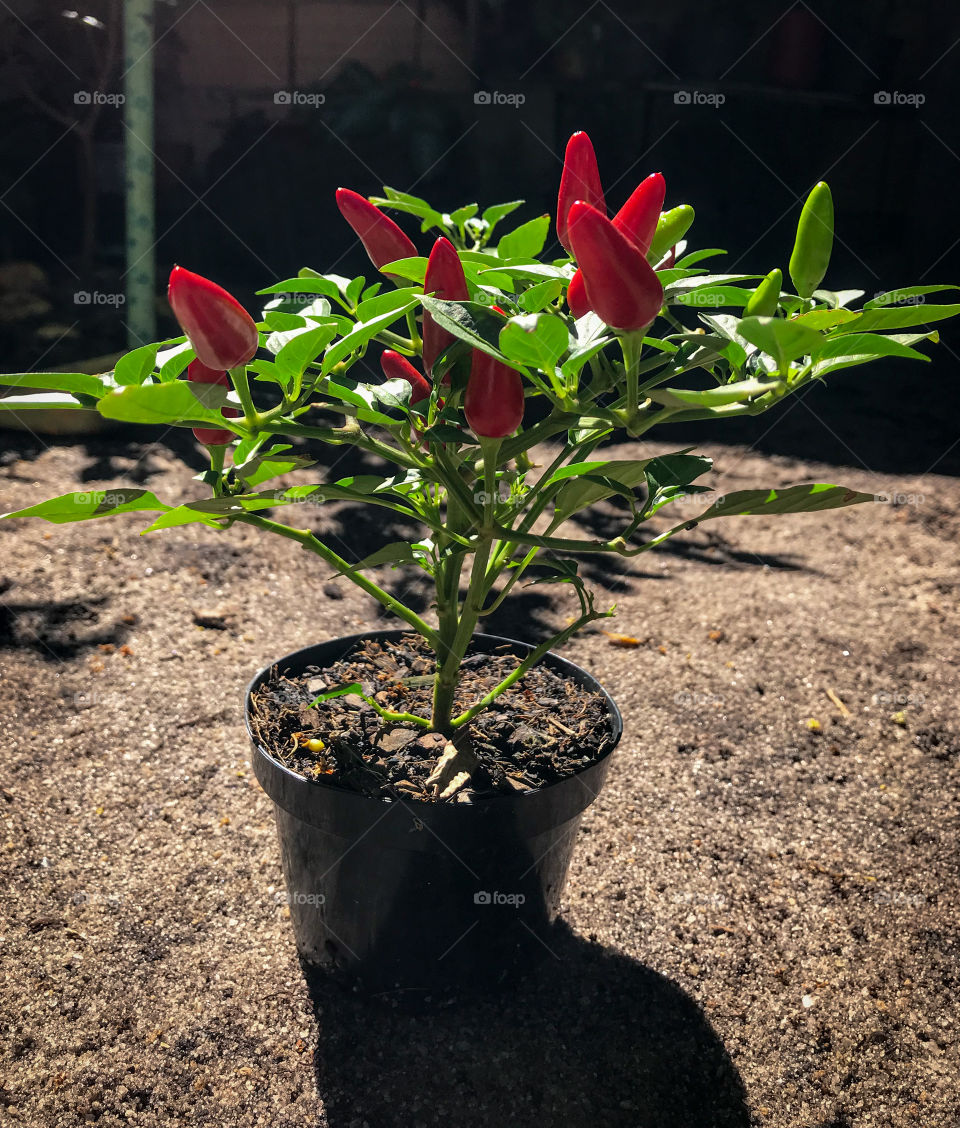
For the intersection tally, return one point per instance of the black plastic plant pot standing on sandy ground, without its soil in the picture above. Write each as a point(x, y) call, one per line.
point(416, 900)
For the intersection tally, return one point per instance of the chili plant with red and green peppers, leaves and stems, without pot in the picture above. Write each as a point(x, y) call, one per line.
point(495, 342)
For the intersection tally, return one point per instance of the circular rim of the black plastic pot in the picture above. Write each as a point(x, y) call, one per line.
point(412, 805)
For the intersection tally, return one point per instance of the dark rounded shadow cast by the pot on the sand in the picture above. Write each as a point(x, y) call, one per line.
point(592, 1038)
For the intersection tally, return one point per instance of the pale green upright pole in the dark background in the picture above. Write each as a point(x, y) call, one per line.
point(138, 118)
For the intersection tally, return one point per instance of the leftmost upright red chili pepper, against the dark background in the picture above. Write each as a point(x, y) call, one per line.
point(223, 333)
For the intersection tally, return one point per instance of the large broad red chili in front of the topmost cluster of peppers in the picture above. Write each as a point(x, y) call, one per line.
point(622, 287)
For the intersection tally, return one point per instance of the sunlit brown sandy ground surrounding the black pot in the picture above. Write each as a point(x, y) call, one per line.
point(761, 926)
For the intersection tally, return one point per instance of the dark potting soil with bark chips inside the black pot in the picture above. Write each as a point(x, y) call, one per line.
point(542, 729)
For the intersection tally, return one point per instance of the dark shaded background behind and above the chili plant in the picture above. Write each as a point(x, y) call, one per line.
point(261, 109)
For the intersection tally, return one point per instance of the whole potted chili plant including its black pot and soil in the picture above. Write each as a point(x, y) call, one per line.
point(429, 780)
